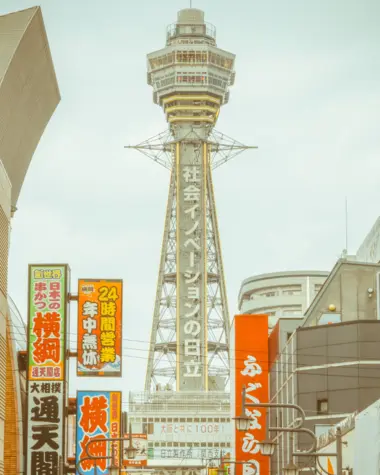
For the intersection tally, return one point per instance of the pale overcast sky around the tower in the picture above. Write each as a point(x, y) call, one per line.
point(307, 93)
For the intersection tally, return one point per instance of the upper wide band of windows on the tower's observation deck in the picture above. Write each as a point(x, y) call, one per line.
point(191, 57)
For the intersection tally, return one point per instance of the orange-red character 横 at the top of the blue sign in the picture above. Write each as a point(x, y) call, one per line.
point(94, 413)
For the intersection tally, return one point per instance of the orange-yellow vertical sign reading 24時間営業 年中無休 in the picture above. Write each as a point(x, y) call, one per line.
point(99, 327)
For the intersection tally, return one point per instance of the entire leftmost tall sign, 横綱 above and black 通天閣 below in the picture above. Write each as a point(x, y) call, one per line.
point(47, 323)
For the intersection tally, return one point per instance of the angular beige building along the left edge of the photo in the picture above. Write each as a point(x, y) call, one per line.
point(28, 97)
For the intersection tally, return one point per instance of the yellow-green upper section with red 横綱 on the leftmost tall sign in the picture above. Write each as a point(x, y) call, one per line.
point(47, 322)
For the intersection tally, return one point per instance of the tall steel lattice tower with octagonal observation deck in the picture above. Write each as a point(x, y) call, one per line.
point(190, 332)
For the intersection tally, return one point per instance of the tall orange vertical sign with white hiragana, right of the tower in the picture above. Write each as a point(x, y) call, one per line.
point(249, 368)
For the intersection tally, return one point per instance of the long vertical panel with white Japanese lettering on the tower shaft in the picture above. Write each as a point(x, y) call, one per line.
point(191, 260)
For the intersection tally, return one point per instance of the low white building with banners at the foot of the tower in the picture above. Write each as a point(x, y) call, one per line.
point(188, 429)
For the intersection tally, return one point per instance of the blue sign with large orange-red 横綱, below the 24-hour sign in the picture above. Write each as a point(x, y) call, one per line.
point(98, 417)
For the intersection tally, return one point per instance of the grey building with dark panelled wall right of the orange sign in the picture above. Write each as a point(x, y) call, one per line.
point(331, 365)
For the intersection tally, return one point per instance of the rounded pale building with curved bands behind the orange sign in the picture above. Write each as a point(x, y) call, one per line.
point(280, 294)
